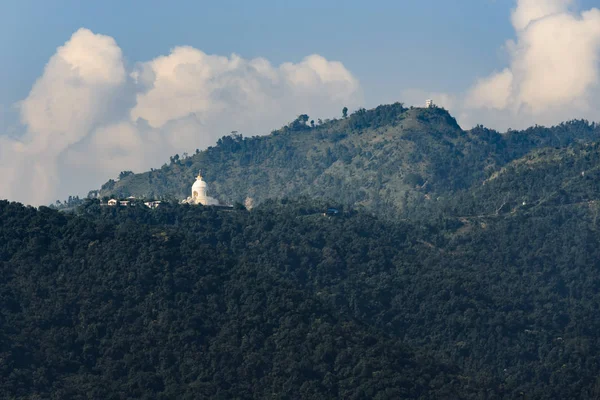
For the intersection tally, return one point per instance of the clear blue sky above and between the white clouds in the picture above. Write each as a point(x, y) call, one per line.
point(388, 45)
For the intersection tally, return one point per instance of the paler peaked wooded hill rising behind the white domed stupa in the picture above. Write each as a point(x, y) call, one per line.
point(377, 158)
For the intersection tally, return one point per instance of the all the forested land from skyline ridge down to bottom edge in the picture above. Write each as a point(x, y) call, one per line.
point(461, 265)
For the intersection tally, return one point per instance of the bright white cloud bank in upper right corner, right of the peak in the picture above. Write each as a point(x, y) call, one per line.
point(552, 76)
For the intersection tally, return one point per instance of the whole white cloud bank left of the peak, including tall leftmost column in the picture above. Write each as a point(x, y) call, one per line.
point(88, 116)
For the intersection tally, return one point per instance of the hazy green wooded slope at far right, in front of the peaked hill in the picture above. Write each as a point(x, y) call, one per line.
point(548, 177)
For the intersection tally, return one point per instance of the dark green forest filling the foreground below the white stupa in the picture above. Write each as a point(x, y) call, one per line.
point(282, 302)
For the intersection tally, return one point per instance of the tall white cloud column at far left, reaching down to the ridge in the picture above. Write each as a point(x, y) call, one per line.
point(73, 95)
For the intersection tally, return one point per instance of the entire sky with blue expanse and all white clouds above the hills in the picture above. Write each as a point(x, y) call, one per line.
point(89, 89)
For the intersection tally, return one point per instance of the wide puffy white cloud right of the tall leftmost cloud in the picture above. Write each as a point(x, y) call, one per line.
point(190, 82)
